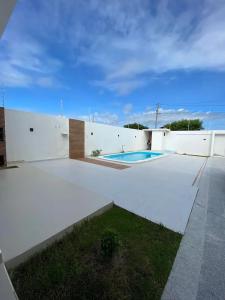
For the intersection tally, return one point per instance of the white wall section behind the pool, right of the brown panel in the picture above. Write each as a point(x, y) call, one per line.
point(106, 138)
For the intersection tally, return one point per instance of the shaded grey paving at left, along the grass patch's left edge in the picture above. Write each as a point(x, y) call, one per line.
point(36, 206)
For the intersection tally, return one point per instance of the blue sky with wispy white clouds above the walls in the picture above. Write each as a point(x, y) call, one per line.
point(115, 61)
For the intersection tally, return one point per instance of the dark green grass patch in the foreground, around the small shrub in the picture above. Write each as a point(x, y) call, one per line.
point(73, 268)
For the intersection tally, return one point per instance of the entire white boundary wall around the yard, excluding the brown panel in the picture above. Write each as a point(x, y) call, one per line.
point(50, 138)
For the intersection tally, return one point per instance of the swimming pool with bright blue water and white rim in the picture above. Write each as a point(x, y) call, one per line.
point(133, 157)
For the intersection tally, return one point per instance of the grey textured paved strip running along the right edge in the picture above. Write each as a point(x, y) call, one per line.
point(199, 269)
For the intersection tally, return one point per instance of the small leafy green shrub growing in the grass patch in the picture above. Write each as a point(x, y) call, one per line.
point(109, 243)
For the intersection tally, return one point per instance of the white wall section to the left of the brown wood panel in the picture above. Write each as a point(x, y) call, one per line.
point(47, 141)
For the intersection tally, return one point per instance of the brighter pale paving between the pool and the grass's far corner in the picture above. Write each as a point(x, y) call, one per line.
point(160, 190)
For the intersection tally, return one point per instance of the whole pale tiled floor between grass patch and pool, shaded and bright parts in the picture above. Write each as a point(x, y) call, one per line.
point(40, 199)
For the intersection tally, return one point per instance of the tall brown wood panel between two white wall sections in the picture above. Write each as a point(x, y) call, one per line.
point(76, 139)
